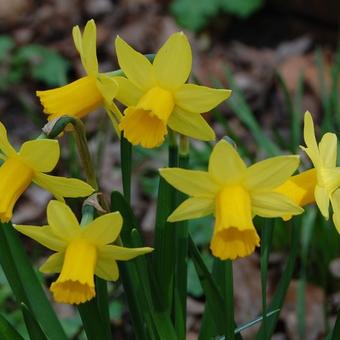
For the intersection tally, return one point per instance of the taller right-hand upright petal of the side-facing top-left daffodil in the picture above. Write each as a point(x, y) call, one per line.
point(89, 53)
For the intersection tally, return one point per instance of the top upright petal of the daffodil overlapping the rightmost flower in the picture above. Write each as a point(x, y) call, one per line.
point(225, 164)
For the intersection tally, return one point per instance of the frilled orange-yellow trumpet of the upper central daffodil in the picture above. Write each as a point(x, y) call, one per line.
point(146, 123)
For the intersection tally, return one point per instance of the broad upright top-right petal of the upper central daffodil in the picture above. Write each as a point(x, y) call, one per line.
point(173, 61)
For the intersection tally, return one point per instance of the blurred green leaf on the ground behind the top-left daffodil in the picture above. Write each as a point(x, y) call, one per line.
point(46, 65)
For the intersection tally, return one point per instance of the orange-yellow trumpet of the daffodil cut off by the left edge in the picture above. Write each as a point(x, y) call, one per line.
point(15, 177)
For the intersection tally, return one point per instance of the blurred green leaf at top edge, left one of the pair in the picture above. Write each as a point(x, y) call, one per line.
point(193, 14)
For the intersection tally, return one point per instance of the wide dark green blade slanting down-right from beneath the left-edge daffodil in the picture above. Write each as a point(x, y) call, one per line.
point(35, 297)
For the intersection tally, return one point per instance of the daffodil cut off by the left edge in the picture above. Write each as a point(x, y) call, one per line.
point(28, 165)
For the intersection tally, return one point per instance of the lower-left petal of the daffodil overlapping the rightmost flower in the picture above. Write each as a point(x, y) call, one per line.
point(193, 208)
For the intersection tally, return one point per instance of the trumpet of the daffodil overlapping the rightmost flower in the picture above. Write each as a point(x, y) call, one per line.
point(234, 235)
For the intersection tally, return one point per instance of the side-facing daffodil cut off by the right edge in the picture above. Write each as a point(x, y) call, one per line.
point(322, 183)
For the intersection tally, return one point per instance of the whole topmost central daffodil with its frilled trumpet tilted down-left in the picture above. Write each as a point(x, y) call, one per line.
point(157, 97)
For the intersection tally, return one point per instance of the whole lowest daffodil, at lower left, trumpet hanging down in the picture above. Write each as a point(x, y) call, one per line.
point(81, 252)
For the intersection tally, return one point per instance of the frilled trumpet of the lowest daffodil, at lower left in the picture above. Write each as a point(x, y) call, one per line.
point(75, 283)
